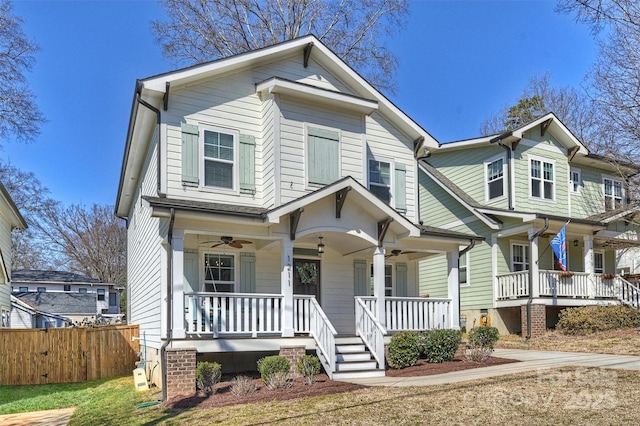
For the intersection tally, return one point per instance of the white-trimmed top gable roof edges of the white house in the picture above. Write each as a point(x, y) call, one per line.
point(153, 89)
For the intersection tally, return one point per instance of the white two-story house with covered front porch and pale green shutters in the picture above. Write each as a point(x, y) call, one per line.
point(271, 199)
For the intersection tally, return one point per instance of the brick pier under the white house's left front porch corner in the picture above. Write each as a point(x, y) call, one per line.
point(181, 372)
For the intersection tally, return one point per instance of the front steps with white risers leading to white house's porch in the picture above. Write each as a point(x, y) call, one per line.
point(353, 359)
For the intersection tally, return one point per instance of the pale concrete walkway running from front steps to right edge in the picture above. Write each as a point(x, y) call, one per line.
point(531, 361)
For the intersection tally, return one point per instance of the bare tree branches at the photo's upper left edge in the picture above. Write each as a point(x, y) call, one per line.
point(19, 114)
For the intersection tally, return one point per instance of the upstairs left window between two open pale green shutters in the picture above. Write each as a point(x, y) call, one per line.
point(219, 158)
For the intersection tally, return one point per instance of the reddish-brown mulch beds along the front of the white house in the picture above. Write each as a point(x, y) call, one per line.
point(323, 386)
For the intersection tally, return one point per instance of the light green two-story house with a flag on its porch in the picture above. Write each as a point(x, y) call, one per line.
point(517, 190)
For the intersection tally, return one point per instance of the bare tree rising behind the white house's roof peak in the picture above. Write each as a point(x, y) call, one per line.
point(202, 30)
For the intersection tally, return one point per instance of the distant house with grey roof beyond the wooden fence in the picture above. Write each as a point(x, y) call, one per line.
point(106, 295)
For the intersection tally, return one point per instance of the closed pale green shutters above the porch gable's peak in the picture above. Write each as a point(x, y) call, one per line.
point(323, 152)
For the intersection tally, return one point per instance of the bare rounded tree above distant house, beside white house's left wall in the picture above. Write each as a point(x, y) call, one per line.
point(91, 241)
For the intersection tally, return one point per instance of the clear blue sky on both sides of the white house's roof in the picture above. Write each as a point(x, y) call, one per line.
point(459, 61)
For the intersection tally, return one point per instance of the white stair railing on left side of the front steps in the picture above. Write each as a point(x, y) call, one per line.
point(310, 318)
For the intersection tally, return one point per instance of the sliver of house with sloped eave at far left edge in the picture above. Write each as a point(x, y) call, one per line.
point(10, 219)
